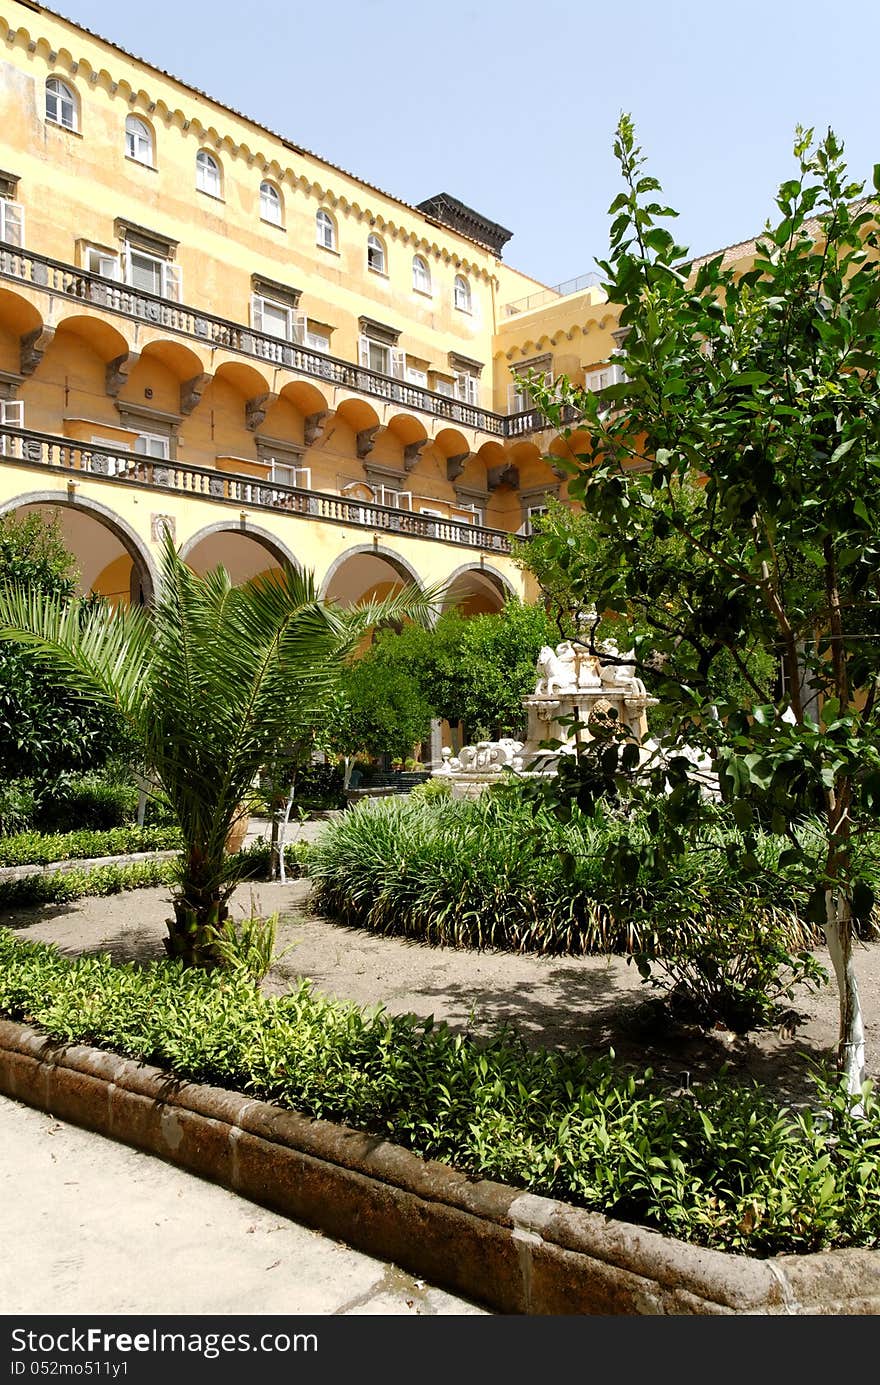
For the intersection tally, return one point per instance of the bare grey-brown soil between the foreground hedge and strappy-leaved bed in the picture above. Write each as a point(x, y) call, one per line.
point(558, 1002)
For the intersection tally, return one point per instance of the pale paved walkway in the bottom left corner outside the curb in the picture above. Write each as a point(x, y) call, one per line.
point(92, 1226)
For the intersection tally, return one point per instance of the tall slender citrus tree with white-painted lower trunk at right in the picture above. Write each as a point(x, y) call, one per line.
point(748, 429)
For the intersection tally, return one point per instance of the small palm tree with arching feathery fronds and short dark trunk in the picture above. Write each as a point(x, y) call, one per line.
point(210, 682)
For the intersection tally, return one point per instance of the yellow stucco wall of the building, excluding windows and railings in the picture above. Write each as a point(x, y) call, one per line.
point(91, 370)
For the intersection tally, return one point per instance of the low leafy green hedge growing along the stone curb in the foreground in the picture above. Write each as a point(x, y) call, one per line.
point(720, 1165)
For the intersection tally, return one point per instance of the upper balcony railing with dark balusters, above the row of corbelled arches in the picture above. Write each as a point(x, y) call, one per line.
point(113, 297)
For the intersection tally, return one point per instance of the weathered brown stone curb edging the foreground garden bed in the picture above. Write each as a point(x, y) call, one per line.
point(509, 1250)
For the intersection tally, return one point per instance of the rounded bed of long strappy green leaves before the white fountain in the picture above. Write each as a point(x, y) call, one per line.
point(494, 873)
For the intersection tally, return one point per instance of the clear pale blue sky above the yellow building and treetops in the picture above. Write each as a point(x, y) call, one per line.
point(512, 106)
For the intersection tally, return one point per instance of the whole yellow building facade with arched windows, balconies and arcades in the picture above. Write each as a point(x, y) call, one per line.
point(209, 330)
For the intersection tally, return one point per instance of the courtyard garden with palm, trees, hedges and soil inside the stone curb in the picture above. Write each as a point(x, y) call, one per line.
point(680, 942)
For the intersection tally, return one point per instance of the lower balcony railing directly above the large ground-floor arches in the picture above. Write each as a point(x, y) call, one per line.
point(77, 459)
